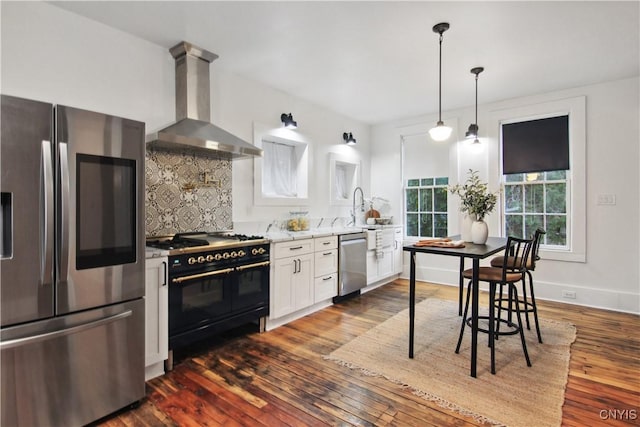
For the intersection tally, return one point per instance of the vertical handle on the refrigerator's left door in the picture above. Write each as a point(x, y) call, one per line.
point(46, 263)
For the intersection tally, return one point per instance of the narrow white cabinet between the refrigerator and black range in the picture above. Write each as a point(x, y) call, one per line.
point(156, 316)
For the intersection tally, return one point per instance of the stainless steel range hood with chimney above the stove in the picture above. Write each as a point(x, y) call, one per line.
point(193, 129)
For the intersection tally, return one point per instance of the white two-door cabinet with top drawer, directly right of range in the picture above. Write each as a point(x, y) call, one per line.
point(293, 277)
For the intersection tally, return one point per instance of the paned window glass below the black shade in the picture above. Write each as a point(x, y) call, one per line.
point(538, 200)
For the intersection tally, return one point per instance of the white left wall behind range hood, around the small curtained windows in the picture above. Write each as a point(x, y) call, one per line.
point(52, 55)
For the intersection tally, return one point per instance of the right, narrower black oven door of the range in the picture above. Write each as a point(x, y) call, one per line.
point(251, 287)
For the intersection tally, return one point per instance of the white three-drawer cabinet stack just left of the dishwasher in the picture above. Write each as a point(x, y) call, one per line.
point(326, 268)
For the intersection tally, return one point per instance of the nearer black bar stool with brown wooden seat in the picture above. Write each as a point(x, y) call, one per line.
point(508, 274)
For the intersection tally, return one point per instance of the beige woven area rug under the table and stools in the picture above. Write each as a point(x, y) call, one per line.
point(515, 396)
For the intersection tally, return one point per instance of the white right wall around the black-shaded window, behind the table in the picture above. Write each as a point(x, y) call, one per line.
point(610, 276)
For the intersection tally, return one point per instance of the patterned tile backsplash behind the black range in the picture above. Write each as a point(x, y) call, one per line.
point(177, 198)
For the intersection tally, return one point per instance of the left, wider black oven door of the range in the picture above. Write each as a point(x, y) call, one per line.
point(197, 298)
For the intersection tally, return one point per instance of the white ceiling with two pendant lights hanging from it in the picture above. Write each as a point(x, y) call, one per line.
point(378, 61)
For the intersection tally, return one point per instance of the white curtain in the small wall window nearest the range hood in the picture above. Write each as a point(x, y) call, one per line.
point(279, 170)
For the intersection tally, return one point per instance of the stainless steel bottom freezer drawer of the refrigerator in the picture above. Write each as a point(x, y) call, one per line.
point(72, 370)
